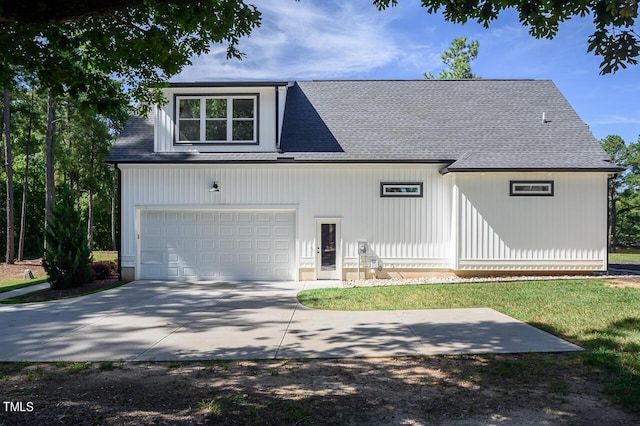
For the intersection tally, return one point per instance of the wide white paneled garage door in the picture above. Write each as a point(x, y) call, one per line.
point(217, 245)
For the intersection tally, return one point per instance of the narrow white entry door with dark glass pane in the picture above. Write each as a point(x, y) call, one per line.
point(328, 250)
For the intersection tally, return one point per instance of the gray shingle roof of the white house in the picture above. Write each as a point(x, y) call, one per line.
point(469, 124)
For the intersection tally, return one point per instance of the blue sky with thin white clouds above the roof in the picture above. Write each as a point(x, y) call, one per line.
point(327, 39)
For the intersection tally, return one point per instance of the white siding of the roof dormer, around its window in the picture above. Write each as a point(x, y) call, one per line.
point(165, 124)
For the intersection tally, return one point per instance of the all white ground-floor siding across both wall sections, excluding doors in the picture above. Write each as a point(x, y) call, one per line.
point(465, 221)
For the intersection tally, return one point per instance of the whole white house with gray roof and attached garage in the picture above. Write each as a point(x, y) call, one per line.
point(331, 179)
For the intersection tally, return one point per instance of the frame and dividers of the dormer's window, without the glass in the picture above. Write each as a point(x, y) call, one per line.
point(229, 119)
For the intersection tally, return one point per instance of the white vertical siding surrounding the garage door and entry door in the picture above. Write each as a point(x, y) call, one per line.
point(401, 232)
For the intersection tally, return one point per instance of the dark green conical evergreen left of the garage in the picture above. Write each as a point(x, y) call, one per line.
point(67, 257)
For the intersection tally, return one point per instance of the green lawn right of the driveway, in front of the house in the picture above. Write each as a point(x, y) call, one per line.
point(604, 320)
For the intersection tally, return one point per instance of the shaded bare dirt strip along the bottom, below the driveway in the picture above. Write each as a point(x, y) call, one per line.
point(529, 389)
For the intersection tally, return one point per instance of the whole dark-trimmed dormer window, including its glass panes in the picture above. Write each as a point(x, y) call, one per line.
point(217, 119)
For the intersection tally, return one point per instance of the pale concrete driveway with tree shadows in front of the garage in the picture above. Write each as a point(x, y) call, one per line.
point(147, 320)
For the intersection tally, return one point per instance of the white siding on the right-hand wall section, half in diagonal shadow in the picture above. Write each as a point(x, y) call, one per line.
point(497, 231)
